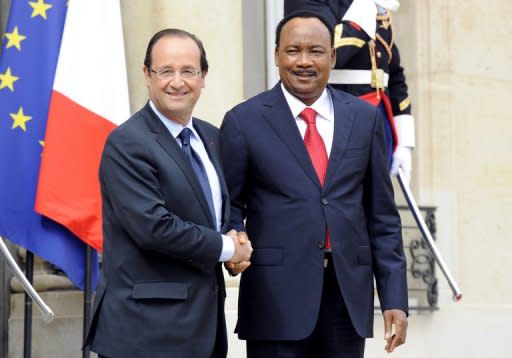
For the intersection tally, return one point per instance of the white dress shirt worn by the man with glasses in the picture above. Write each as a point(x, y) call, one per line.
point(228, 247)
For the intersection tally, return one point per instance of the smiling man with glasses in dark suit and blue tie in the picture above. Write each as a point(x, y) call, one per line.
point(161, 292)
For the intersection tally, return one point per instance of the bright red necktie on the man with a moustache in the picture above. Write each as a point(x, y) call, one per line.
point(317, 152)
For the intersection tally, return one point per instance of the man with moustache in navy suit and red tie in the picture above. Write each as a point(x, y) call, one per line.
point(318, 207)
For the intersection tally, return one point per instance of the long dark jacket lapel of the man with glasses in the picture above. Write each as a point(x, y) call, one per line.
point(169, 144)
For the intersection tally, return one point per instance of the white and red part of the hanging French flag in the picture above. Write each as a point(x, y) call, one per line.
point(89, 99)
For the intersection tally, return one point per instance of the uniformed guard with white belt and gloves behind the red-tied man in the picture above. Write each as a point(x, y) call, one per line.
point(368, 66)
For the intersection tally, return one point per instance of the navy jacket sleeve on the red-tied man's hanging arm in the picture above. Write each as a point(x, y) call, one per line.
point(384, 227)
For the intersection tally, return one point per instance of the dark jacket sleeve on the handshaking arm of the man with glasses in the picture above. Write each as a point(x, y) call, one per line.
point(131, 186)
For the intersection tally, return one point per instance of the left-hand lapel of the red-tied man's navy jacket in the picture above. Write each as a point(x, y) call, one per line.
point(281, 120)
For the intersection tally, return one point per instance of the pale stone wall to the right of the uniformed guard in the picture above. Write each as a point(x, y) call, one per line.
point(458, 61)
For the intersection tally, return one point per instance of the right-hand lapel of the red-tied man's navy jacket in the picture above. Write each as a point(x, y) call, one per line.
point(343, 121)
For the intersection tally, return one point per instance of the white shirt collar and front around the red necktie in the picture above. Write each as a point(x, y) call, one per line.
point(324, 119)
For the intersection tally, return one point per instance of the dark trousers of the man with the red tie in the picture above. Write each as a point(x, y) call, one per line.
point(334, 335)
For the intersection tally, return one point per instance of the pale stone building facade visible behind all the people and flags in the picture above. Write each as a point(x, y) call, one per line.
point(458, 62)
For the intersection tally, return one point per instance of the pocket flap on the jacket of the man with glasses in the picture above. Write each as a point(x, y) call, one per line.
point(162, 290)
